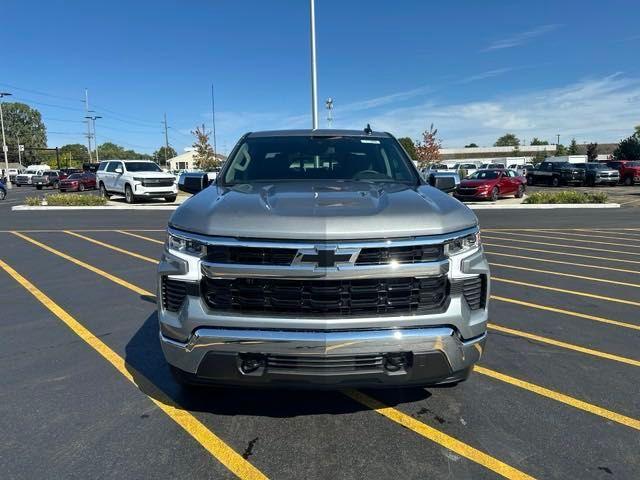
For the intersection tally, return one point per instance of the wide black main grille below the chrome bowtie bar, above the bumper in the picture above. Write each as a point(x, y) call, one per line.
point(340, 297)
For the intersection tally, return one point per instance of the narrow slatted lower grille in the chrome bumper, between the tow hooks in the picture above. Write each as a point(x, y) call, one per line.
point(323, 365)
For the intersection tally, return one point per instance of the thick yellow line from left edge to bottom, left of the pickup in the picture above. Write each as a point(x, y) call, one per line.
point(205, 437)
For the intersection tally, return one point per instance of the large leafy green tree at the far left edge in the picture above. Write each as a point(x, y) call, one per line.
point(23, 125)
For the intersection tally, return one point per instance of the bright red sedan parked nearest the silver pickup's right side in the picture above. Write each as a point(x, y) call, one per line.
point(491, 184)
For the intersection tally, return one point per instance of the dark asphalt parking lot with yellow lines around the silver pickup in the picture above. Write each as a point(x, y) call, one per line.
point(86, 393)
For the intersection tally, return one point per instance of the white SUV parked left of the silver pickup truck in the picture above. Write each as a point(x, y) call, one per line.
point(135, 179)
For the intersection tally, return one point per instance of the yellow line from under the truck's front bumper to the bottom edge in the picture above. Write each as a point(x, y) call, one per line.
point(437, 436)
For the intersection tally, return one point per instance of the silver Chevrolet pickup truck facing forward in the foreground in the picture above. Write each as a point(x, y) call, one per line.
point(321, 258)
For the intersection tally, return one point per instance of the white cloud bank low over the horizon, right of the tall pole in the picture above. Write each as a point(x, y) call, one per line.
point(603, 109)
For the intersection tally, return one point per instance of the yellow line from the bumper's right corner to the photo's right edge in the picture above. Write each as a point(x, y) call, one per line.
point(560, 397)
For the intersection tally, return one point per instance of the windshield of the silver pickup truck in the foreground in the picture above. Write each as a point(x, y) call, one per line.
point(269, 159)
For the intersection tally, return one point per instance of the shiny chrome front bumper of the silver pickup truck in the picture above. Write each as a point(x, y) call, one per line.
point(214, 354)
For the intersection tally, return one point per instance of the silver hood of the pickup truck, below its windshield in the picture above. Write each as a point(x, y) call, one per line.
point(322, 211)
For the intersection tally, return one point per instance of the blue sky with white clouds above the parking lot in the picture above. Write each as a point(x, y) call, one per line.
point(474, 69)
